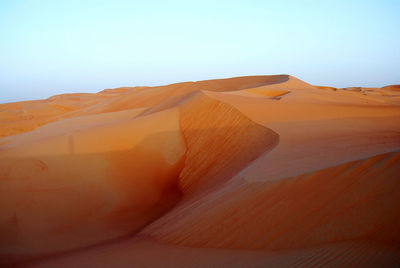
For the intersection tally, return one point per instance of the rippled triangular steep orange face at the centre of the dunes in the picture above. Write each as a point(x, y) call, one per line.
point(231, 139)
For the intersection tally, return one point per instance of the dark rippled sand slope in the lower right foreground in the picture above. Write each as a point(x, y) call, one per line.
point(308, 210)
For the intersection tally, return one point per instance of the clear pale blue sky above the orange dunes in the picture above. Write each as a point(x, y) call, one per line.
point(52, 47)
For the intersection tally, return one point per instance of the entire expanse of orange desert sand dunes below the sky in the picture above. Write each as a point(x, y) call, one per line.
point(242, 172)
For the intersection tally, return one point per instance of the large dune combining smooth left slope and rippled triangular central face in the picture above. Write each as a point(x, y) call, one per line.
point(73, 204)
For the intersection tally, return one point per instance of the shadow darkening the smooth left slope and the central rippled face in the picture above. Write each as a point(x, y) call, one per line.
point(56, 203)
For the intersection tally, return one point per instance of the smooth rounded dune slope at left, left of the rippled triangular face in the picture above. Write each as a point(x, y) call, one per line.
point(65, 191)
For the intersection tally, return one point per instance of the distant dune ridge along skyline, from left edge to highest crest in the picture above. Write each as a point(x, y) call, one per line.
point(20, 117)
